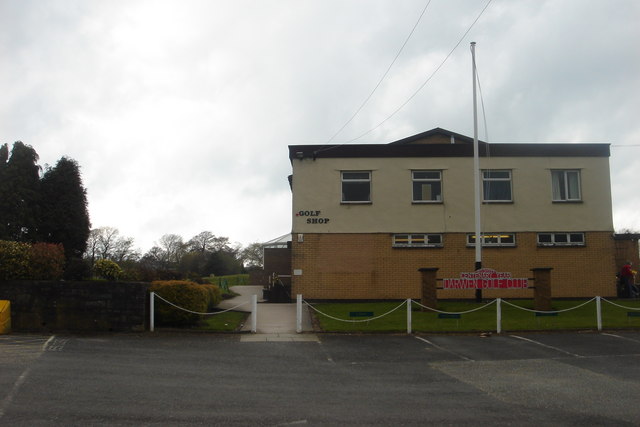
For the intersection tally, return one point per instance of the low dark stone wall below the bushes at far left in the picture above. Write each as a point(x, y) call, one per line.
point(57, 306)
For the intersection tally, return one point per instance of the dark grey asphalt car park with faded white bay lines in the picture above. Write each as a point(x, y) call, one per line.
point(199, 379)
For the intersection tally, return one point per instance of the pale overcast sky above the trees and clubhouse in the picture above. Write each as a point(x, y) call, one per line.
point(179, 112)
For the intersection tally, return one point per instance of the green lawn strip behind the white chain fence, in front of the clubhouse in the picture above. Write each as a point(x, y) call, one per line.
point(484, 319)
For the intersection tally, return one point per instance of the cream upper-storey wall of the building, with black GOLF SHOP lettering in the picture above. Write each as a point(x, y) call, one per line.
point(317, 187)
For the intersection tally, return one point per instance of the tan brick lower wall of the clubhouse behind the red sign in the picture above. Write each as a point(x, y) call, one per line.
point(366, 266)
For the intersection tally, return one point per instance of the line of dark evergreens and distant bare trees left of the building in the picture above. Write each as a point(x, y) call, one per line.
point(50, 206)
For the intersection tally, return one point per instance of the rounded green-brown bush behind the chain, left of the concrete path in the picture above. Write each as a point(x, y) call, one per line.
point(184, 294)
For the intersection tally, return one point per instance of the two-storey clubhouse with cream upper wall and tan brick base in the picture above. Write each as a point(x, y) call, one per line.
point(367, 217)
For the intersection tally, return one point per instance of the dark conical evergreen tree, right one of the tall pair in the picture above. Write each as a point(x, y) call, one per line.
point(65, 216)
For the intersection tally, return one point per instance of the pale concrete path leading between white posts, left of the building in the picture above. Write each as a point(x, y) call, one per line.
point(276, 320)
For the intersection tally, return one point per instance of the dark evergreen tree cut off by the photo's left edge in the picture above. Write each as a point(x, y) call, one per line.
point(19, 193)
